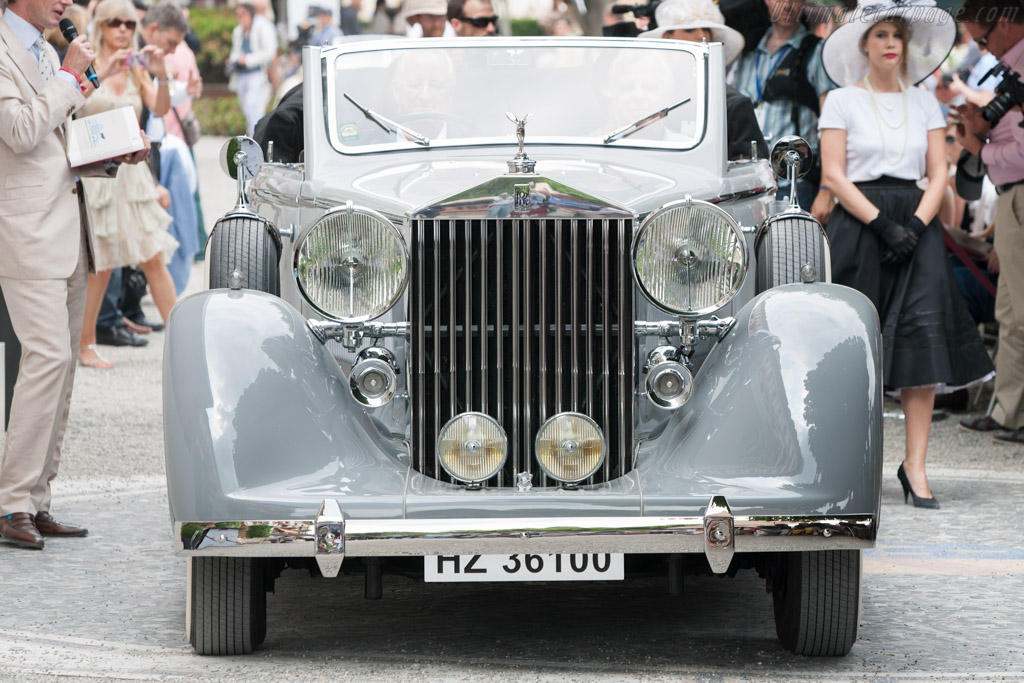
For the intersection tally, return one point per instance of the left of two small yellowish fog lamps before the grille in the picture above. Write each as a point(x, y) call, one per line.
point(473, 448)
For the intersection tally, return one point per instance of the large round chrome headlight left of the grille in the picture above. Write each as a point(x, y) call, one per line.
point(352, 265)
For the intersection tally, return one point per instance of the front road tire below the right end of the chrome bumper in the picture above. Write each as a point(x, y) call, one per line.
point(818, 602)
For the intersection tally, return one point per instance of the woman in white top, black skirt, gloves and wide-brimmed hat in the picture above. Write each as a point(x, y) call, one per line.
point(881, 136)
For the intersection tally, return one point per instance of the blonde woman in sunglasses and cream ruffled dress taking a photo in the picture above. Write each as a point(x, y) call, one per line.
point(130, 218)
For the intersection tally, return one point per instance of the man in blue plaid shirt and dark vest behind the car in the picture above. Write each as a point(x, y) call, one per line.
point(785, 78)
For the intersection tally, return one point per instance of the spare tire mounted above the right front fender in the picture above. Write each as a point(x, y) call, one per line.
point(786, 246)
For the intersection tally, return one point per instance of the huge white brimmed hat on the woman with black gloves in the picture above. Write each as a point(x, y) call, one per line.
point(933, 33)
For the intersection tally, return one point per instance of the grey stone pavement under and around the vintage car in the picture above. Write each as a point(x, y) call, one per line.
point(942, 591)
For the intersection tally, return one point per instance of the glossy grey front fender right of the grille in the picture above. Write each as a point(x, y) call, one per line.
point(786, 416)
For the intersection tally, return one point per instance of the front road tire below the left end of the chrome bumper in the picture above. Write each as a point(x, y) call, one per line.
point(229, 610)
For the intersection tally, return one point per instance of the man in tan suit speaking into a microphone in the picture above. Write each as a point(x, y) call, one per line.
point(45, 257)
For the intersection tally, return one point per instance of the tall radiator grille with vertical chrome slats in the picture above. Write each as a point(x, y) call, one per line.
point(522, 320)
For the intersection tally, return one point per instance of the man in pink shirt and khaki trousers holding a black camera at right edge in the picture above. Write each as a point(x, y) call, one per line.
point(995, 135)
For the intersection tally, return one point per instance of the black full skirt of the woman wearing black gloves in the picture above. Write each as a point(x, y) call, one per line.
point(928, 336)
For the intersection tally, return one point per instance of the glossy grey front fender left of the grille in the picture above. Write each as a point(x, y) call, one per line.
point(259, 418)
